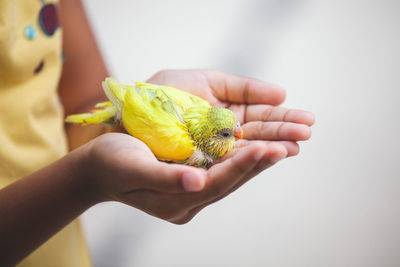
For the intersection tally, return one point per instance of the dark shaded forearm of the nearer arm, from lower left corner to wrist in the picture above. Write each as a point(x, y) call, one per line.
point(41, 204)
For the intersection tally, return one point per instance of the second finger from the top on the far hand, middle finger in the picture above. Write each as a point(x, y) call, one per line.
point(271, 113)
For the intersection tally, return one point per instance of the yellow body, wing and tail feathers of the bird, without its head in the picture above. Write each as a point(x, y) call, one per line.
point(151, 113)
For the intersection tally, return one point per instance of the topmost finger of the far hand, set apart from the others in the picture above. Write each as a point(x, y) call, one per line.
point(238, 89)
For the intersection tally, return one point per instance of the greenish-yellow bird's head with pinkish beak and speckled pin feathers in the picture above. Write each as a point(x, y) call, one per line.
point(215, 131)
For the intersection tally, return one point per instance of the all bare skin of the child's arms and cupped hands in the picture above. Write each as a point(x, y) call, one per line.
point(119, 167)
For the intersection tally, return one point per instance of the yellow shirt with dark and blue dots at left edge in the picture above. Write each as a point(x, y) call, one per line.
point(31, 117)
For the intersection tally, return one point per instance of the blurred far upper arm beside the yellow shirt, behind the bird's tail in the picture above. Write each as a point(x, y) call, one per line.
point(83, 71)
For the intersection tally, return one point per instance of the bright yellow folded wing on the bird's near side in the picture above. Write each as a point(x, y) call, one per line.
point(153, 116)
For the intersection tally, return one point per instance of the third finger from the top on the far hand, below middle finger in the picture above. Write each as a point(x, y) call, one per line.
point(274, 131)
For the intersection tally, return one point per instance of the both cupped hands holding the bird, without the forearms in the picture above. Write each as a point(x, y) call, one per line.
point(131, 174)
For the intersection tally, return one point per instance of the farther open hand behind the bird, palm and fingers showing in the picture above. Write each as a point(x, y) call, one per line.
point(253, 102)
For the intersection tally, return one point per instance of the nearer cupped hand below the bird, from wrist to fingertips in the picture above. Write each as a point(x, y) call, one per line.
point(120, 167)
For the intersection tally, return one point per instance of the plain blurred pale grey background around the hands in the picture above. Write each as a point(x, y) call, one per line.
point(337, 203)
